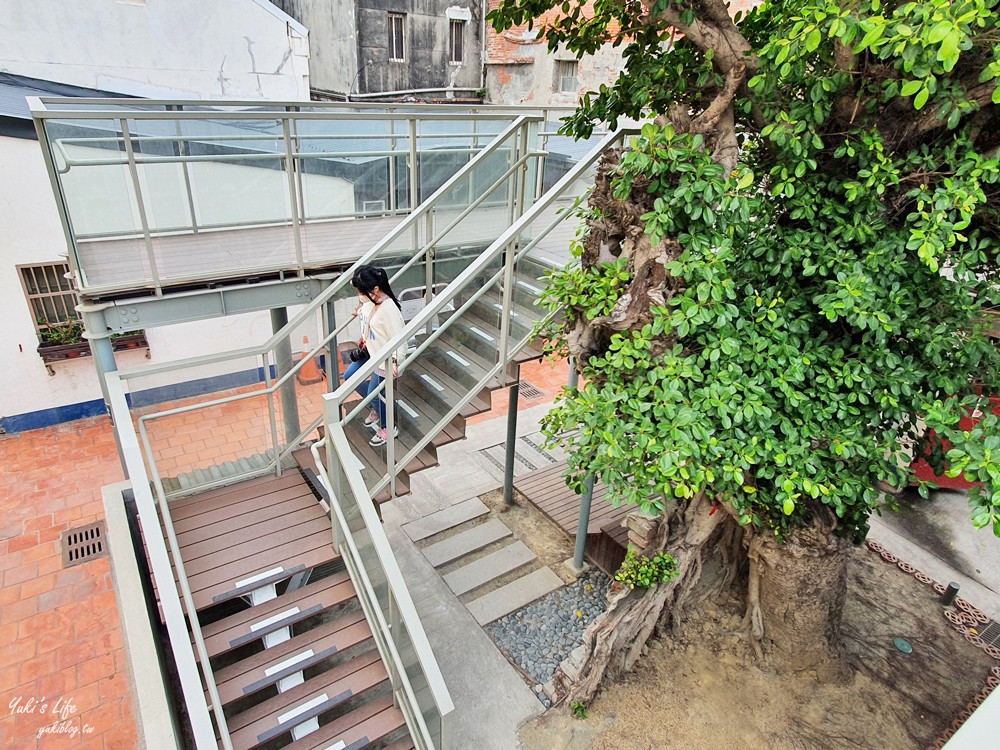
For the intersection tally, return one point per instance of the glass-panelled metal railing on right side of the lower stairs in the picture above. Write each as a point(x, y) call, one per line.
point(418, 686)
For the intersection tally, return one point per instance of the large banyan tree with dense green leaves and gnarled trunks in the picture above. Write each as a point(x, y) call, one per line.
point(784, 279)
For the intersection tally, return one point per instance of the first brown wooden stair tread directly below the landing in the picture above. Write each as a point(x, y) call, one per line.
point(235, 630)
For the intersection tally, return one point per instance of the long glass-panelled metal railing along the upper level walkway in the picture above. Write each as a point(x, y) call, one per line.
point(152, 184)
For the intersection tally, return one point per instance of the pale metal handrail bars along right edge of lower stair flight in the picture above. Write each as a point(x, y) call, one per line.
point(337, 442)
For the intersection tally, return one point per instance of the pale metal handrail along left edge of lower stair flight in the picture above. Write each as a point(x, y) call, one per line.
point(179, 611)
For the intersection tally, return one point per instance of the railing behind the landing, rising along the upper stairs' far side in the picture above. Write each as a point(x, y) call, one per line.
point(420, 239)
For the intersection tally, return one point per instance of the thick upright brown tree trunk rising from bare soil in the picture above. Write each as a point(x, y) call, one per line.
point(795, 601)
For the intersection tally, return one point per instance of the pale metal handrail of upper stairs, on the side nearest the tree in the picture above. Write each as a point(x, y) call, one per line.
point(336, 400)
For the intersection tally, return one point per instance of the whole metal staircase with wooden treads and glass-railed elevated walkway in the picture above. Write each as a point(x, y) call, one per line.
point(269, 569)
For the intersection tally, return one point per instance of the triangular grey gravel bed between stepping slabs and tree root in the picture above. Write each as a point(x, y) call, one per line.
point(538, 637)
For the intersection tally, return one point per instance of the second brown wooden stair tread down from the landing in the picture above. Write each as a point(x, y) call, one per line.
point(249, 675)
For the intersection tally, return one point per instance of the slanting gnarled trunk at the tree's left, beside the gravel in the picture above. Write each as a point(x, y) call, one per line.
point(614, 641)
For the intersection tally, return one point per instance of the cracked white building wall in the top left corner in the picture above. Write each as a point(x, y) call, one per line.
point(234, 49)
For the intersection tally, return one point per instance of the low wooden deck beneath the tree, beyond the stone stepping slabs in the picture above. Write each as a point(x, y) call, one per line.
point(607, 539)
